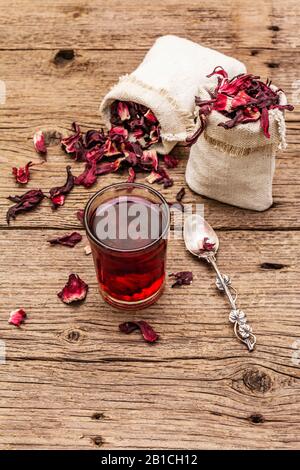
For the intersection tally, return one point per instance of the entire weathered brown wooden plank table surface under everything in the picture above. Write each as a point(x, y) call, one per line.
point(71, 380)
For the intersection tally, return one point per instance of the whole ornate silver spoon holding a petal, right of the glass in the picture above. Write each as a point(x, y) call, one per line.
point(202, 241)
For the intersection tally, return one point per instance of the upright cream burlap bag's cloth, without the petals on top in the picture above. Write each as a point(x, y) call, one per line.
point(236, 166)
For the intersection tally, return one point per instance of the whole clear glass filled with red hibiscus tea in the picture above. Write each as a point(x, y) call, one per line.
point(127, 225)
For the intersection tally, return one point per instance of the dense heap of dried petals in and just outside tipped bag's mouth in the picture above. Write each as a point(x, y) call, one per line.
point(127, 145)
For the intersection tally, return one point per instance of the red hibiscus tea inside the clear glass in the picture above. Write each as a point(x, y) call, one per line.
point(130, 263)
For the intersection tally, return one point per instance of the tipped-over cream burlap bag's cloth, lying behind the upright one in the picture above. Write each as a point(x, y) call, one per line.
point(167, 81)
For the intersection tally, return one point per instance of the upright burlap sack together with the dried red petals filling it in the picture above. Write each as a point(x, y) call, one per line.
point(240, 127)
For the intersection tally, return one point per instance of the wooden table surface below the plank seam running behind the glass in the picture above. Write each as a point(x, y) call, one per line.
point(73, 362)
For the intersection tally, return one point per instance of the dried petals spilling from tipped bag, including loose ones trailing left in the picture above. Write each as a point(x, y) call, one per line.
point(127, 144)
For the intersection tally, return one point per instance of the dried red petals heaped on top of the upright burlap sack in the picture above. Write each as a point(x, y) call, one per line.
point(244, 98)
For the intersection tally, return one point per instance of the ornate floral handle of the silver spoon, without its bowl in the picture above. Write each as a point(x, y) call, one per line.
point(242, 329)
